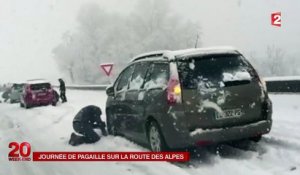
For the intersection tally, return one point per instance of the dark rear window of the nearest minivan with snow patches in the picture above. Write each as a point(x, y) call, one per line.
point(213, 70)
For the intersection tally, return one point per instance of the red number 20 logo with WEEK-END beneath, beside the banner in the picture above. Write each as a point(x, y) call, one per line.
point(19, 151)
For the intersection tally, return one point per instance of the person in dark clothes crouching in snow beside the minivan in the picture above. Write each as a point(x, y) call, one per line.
point(84, 123)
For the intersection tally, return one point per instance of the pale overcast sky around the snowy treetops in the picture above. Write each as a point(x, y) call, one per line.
point(30, 29)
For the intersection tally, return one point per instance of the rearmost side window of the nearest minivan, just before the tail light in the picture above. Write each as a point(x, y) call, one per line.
point(158, 77)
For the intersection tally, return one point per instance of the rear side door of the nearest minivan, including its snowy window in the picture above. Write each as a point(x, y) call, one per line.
point(133, 98)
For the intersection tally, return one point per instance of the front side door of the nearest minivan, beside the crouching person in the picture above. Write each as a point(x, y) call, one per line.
point(119, 107)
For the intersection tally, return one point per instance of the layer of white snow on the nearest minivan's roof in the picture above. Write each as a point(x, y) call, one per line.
point(189, 52)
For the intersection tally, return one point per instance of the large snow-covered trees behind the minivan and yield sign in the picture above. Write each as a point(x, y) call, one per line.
point(110, 37)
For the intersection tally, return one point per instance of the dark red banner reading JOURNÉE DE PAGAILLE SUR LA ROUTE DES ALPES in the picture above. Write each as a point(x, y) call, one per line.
point(112, 156)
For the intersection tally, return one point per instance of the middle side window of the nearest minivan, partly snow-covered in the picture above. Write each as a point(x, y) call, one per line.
point(138, 75)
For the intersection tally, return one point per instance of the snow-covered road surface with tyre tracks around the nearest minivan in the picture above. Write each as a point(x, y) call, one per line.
point(273, 155)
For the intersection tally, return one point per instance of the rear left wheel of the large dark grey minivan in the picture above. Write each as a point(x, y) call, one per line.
point(156, 140)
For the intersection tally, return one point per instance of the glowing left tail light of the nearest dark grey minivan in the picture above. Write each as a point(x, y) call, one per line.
point(173, 91)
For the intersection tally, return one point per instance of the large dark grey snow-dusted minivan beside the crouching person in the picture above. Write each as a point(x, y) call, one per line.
point(194, 97)
